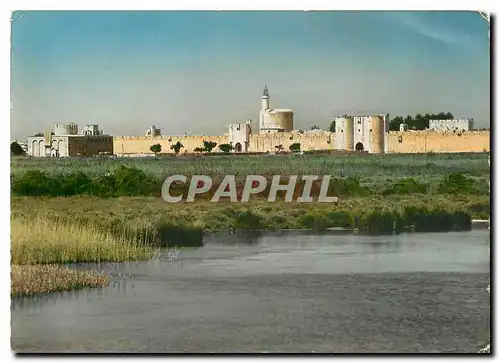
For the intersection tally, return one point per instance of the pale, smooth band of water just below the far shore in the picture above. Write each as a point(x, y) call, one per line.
point(299, 251)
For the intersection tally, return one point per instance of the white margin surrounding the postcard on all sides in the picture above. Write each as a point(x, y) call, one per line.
point(8, 6)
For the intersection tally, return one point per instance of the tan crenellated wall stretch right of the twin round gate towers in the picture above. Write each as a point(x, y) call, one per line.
point(438, 142)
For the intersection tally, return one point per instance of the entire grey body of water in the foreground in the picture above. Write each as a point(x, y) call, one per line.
point(288, 292)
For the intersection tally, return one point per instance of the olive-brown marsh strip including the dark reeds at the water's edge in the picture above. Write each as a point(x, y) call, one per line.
point(156, 223)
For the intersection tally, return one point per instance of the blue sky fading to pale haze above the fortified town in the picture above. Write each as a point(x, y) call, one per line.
point(196, 72)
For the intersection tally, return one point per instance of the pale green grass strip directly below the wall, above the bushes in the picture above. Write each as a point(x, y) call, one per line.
point(382, 167)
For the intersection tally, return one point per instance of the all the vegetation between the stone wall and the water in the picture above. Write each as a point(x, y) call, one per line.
point(88, 210)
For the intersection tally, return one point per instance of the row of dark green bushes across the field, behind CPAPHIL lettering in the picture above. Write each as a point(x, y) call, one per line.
point(129, 181)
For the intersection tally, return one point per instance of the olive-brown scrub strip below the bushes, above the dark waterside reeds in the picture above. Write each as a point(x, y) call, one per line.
point(145, 217)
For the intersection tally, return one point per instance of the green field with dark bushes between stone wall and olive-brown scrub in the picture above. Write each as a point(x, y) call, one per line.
point(364, 174)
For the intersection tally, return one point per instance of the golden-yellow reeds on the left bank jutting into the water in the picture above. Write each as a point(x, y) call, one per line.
point(40, 247)
